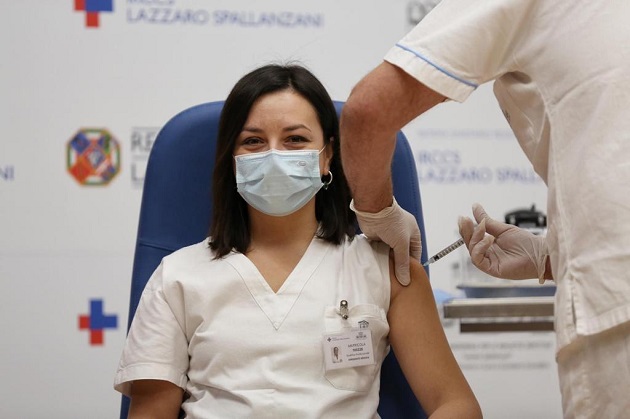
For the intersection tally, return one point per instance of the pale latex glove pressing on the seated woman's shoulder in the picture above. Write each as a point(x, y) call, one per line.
point(399, 229)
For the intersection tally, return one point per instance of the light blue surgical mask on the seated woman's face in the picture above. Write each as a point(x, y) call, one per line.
point(278, 182)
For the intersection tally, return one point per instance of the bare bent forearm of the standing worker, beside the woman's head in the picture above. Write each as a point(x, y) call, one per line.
point(370, 119)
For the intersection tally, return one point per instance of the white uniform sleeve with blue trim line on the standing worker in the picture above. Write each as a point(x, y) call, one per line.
point(462, 44)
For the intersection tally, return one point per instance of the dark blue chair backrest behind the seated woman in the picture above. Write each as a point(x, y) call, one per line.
point(176, 211)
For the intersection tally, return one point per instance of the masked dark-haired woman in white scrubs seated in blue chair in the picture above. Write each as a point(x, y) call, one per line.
point(283, 312)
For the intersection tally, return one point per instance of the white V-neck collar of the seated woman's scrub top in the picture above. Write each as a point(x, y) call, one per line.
point(277, 305)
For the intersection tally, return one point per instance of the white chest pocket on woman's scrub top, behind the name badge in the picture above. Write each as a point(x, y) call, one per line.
point(372, 316)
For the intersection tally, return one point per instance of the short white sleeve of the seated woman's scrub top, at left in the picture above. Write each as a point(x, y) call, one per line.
point(156, 346)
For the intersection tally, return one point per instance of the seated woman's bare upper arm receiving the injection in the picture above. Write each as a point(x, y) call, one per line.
point(418, 340)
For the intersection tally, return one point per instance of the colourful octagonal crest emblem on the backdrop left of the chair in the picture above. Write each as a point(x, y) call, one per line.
point(93, 156)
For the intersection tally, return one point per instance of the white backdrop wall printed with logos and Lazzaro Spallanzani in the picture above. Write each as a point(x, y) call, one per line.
point(66, 247)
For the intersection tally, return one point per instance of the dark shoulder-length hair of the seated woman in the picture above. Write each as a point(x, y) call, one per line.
point(230, 227)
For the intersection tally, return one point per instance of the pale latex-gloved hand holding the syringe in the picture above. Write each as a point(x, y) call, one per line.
point(506, 251)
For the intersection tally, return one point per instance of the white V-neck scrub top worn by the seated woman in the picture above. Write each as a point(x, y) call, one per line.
point(216, 329)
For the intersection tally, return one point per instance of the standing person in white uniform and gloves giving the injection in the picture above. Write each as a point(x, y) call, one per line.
point(561, 75)
